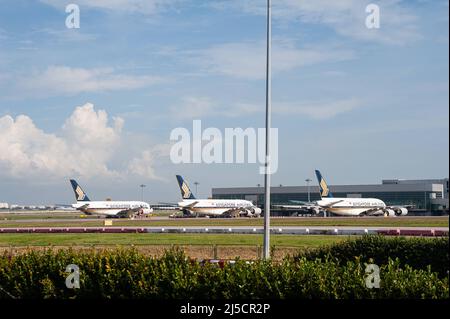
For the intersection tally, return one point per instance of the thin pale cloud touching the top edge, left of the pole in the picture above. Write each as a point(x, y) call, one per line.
point(147, 7)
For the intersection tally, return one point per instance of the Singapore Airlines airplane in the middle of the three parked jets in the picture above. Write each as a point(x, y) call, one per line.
point(214, 207)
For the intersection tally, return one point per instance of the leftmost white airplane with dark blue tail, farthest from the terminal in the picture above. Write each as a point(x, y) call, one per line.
point(108, 208)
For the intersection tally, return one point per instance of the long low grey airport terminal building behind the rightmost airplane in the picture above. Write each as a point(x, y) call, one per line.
point(424, 195)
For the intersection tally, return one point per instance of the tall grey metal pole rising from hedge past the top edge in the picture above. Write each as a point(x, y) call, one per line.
point(268, 124)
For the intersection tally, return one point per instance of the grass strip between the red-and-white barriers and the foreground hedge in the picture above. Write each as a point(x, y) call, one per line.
point(228, 246)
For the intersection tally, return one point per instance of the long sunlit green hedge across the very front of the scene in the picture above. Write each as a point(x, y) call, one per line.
point(130, 274)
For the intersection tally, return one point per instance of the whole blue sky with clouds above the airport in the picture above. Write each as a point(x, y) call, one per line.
point(98, 103)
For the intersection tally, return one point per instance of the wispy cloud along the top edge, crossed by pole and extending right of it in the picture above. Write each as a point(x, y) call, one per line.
point(345, 17)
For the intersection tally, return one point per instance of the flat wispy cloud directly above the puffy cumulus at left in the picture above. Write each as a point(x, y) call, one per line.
point(65, 80)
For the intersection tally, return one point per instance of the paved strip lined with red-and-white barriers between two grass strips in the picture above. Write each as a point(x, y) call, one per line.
point(290, 230)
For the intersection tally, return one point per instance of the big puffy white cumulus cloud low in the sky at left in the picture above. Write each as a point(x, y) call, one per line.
point(87, 143)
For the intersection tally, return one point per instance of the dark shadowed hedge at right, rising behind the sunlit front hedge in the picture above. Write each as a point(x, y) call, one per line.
point(417, 252)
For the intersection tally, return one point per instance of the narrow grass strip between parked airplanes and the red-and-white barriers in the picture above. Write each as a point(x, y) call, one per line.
point(289, 221)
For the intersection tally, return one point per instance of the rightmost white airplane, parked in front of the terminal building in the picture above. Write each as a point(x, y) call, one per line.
point(348, 206)
